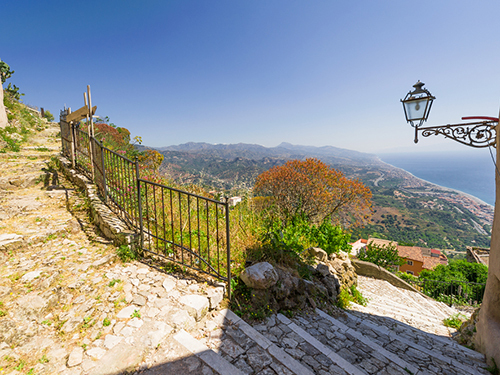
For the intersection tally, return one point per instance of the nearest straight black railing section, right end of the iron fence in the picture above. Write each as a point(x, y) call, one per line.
point(186, 228)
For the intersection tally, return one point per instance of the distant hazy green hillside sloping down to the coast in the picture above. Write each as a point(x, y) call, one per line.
point(406, 208)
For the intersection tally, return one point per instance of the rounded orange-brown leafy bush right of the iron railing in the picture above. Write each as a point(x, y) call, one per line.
point(315, 191)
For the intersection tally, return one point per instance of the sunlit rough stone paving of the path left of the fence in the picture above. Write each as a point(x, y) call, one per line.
point(68, 304)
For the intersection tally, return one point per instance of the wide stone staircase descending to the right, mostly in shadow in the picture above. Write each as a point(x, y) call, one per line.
point(398, 332)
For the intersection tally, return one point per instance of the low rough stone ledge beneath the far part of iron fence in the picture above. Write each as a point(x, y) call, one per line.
point(112, 227)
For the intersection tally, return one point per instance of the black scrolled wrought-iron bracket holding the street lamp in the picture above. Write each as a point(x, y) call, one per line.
point(474, 134)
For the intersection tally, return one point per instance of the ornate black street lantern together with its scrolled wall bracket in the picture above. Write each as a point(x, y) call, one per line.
point(417, 105)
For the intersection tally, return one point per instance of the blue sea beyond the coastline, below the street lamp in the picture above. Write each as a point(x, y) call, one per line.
point(470, 172)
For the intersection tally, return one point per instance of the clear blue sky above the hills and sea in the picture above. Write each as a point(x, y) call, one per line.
point(316, 72)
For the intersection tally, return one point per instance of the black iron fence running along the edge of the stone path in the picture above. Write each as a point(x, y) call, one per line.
point(175, 225)
